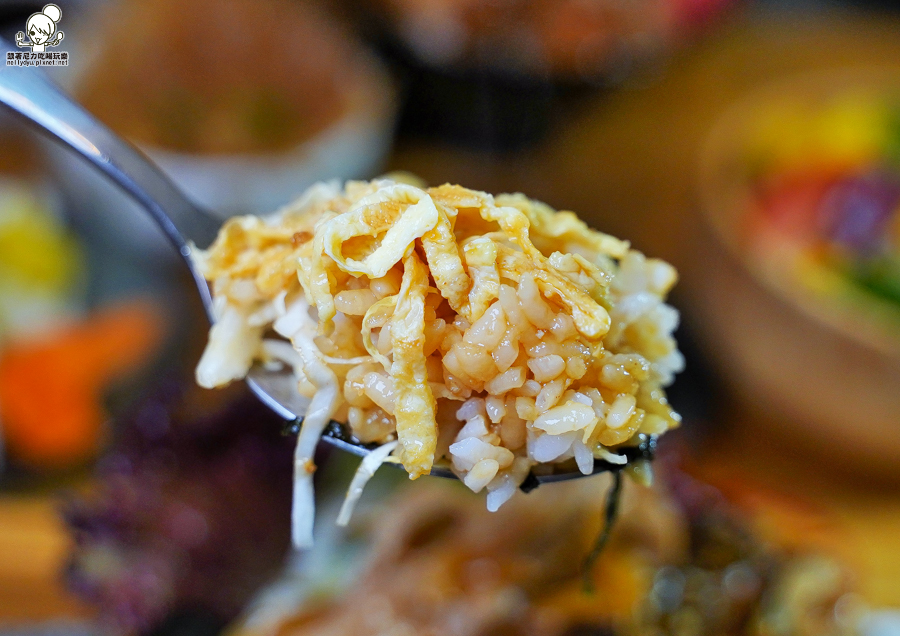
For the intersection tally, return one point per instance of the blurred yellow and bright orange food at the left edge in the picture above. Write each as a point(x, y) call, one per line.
point(57, 359)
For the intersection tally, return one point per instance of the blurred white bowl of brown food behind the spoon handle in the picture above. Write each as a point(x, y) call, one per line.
point(239, 133)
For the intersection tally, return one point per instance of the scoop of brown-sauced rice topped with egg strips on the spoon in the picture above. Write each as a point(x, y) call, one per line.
point(492, 333)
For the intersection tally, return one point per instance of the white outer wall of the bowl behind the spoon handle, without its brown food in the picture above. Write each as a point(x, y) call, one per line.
point(352, 147)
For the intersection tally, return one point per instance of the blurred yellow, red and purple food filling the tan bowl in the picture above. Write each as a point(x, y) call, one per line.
point(824, 198)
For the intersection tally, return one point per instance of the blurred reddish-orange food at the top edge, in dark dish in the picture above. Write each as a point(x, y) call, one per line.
point(573, 40)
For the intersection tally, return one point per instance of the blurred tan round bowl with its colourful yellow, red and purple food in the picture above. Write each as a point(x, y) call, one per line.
point(789, 317)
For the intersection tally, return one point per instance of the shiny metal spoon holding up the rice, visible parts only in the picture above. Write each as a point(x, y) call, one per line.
point(27, 92)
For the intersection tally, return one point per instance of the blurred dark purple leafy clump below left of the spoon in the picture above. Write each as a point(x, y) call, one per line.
point(187, 513)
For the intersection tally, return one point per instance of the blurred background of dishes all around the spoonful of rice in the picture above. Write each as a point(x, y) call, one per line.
point(755, 145)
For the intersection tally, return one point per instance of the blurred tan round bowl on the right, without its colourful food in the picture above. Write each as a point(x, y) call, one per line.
point(829, 372)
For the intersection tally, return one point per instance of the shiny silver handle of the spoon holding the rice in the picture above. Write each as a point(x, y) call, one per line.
point(29, 93)
